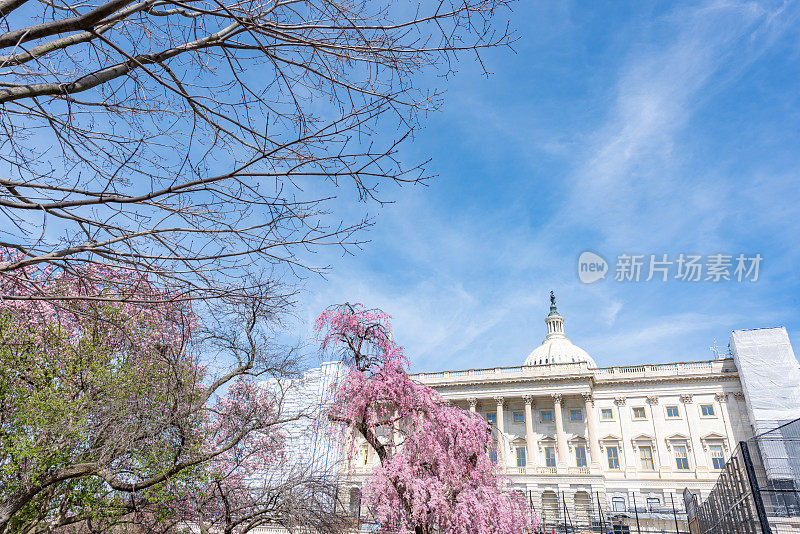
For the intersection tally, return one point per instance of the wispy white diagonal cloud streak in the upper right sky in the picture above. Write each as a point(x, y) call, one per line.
point(637, 164)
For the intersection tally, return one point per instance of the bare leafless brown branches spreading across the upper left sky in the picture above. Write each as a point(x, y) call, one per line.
point(198, 141)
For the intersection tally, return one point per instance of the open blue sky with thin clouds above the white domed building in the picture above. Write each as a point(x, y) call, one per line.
point(639, 128)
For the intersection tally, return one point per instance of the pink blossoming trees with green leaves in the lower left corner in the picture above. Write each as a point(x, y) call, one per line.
point(111, 412)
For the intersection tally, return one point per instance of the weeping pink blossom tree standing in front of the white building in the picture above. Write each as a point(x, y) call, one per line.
point(435, 474)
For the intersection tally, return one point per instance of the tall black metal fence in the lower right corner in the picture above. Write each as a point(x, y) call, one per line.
point(758, 492)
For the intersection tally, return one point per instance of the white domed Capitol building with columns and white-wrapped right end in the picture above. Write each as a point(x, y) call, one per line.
point(575, 437)
